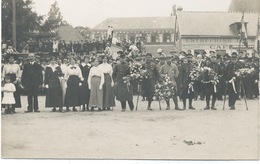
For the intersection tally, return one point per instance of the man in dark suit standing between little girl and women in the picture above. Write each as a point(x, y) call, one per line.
point(32, 79)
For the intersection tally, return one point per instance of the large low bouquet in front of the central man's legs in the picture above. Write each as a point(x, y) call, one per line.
point(166, 89)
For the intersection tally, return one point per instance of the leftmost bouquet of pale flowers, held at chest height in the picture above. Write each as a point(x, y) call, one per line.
point(136, 71)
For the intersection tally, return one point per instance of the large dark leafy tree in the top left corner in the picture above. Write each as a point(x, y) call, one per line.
point(26, 20)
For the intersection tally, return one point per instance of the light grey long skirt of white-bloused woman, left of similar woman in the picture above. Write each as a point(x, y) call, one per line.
point(96, 94)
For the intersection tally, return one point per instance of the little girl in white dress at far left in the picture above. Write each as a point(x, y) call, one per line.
point(8, 99)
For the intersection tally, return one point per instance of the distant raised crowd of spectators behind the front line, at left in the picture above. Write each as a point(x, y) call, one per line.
point(63, 48)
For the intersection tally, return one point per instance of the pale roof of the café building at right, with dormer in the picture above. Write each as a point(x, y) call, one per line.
point(214, 23)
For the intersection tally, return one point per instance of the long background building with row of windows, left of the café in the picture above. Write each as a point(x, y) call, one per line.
point(155, 32)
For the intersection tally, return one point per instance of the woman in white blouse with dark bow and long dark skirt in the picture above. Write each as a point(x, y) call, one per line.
point(74, 78)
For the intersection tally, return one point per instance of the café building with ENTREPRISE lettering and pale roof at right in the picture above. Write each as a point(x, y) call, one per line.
point(218, 31)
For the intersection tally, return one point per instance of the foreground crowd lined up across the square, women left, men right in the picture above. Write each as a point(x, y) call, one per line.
point(94, 82)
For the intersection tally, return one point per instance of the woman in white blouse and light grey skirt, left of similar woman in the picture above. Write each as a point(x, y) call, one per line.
point(95, 83)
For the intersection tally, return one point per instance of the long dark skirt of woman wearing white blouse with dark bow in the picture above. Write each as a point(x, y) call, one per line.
point(72, 97)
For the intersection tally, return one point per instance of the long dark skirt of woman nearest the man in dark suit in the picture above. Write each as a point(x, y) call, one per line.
point(54, 93)
